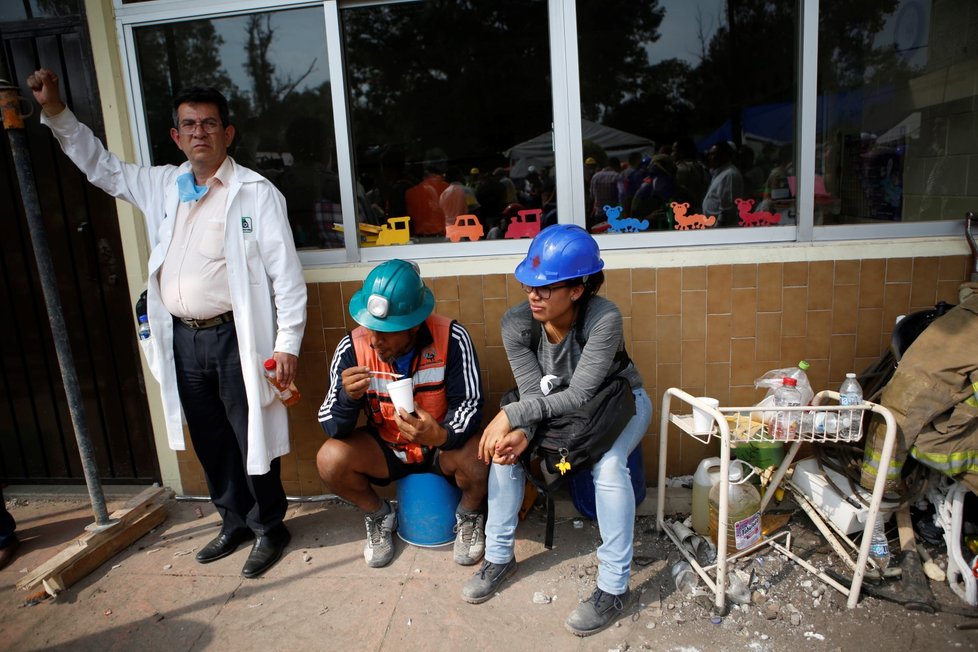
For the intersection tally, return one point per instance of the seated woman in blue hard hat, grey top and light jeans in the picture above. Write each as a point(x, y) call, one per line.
point(561, 275)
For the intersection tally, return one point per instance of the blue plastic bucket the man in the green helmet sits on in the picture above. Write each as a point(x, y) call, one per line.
point(426, 505)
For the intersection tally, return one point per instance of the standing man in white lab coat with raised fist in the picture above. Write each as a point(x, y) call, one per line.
point(225, 292)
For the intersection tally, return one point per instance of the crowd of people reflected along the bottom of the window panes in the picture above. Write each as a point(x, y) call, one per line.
point(645, 187)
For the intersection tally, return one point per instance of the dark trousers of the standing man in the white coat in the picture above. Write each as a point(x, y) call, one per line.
point(214, 401)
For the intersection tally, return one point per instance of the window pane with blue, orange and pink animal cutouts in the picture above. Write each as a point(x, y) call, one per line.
point(688, 111)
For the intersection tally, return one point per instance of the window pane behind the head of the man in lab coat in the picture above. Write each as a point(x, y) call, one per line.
point(274, 70)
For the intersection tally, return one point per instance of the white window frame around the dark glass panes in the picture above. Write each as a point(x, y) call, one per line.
point(568, 148)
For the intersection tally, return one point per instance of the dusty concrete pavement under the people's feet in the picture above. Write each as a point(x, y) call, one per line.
point(321, 596)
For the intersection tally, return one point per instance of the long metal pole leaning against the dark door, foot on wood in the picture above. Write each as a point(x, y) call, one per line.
point(13, 124)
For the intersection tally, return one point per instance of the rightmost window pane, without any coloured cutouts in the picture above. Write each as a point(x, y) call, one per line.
point(897, 136)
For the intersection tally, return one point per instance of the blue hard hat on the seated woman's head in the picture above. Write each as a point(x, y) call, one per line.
point(559, 253)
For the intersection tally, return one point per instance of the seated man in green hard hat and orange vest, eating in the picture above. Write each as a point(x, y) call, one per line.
point(400, 336)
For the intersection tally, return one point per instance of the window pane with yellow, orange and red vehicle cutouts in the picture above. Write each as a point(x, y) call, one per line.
point(450, 113)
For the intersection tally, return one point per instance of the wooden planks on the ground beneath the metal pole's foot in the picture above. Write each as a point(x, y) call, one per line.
point(90, 550)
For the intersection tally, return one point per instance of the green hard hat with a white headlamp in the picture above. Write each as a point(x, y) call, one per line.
point(393, 298)
